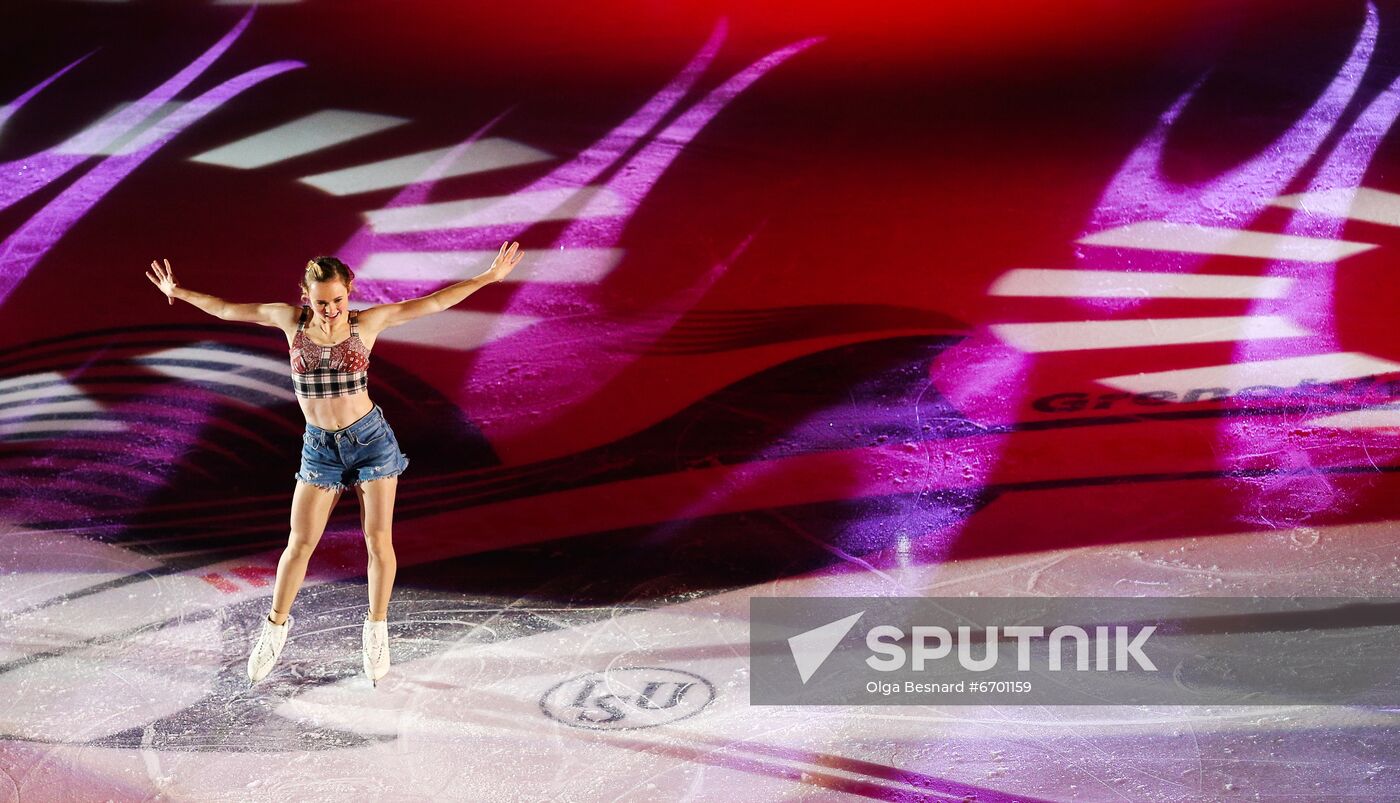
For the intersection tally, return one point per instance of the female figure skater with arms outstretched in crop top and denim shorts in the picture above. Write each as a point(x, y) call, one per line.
point(348, 441)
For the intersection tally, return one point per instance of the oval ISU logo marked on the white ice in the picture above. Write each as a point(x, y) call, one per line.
point(628, 699)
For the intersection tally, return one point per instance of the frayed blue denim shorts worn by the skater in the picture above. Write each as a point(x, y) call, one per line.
point(358, 454)
